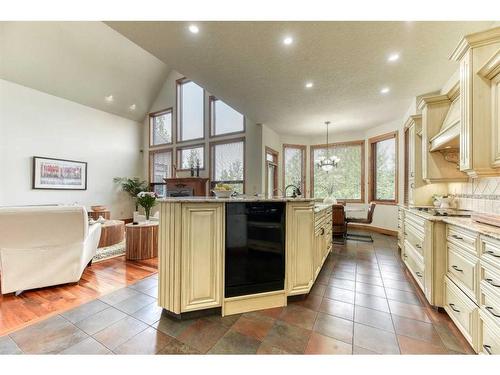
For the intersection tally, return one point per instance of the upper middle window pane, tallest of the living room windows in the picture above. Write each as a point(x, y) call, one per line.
point(190, 99)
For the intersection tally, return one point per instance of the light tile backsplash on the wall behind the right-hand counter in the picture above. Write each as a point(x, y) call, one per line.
point(480, 194)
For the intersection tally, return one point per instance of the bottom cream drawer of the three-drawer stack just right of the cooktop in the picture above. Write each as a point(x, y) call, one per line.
point(461, 310)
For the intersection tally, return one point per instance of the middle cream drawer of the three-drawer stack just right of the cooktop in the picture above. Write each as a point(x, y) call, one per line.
point(463, 269)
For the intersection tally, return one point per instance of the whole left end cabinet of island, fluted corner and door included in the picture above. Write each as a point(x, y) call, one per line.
point(191, 251)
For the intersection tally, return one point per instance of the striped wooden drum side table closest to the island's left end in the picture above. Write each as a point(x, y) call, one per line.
point(142, 241)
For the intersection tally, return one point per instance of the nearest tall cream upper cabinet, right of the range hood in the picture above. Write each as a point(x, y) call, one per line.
point(479, 85)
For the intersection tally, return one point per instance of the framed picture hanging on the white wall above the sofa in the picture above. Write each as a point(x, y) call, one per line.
point(59, 174)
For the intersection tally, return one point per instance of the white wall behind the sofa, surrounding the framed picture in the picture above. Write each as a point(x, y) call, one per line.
point(33, 123)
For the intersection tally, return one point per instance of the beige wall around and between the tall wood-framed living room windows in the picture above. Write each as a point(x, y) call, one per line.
point(166, 98)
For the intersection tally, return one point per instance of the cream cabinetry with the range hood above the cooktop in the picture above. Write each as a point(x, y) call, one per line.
point(440, 137)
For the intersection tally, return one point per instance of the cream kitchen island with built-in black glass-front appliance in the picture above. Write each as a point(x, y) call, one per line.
point(194, 241)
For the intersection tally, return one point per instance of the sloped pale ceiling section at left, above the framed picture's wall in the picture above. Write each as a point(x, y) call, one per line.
point(83, 62)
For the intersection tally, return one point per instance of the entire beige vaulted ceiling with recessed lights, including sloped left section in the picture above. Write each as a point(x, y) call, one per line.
point(244, 63)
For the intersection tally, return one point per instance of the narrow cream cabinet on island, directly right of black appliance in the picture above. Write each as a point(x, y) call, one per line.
point(300, 247)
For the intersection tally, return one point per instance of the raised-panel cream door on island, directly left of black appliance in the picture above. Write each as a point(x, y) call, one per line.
point(201, 256)
